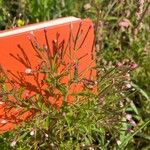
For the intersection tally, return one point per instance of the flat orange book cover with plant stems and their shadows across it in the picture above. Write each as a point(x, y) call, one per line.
point(55, 62)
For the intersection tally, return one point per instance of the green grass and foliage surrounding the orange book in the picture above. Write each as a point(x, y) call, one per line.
point(100, 121)
